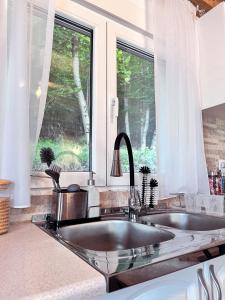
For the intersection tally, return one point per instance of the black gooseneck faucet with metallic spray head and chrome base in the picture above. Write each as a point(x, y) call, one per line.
point(134, 199)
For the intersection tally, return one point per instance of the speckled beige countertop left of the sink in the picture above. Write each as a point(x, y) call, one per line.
point(35, 266)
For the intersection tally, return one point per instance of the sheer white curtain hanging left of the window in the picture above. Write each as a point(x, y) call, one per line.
point(29, 44)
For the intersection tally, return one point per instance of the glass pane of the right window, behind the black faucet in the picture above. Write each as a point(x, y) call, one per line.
point(135, 90)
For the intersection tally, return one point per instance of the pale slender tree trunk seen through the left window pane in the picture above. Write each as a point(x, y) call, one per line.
point(76, 75)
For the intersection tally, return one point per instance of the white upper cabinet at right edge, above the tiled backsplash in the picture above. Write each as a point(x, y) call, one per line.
point(211, 29)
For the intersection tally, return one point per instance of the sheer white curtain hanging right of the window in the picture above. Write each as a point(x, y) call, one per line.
point(182, 165)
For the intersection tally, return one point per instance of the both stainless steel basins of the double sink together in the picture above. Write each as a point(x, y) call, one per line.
point(116, 235)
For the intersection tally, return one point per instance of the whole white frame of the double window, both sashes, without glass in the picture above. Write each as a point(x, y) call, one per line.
point(106, 33)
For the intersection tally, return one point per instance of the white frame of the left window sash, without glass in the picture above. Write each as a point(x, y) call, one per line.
point(97, 23)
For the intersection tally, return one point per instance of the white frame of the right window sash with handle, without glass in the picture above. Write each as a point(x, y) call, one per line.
point(119, 32)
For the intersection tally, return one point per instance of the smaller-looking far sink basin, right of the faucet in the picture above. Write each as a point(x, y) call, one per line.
point(186, 221)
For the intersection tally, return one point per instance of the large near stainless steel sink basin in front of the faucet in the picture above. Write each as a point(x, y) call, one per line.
point(113, 235)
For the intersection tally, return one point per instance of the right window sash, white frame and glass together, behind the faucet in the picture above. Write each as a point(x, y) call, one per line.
point(131, 99)
